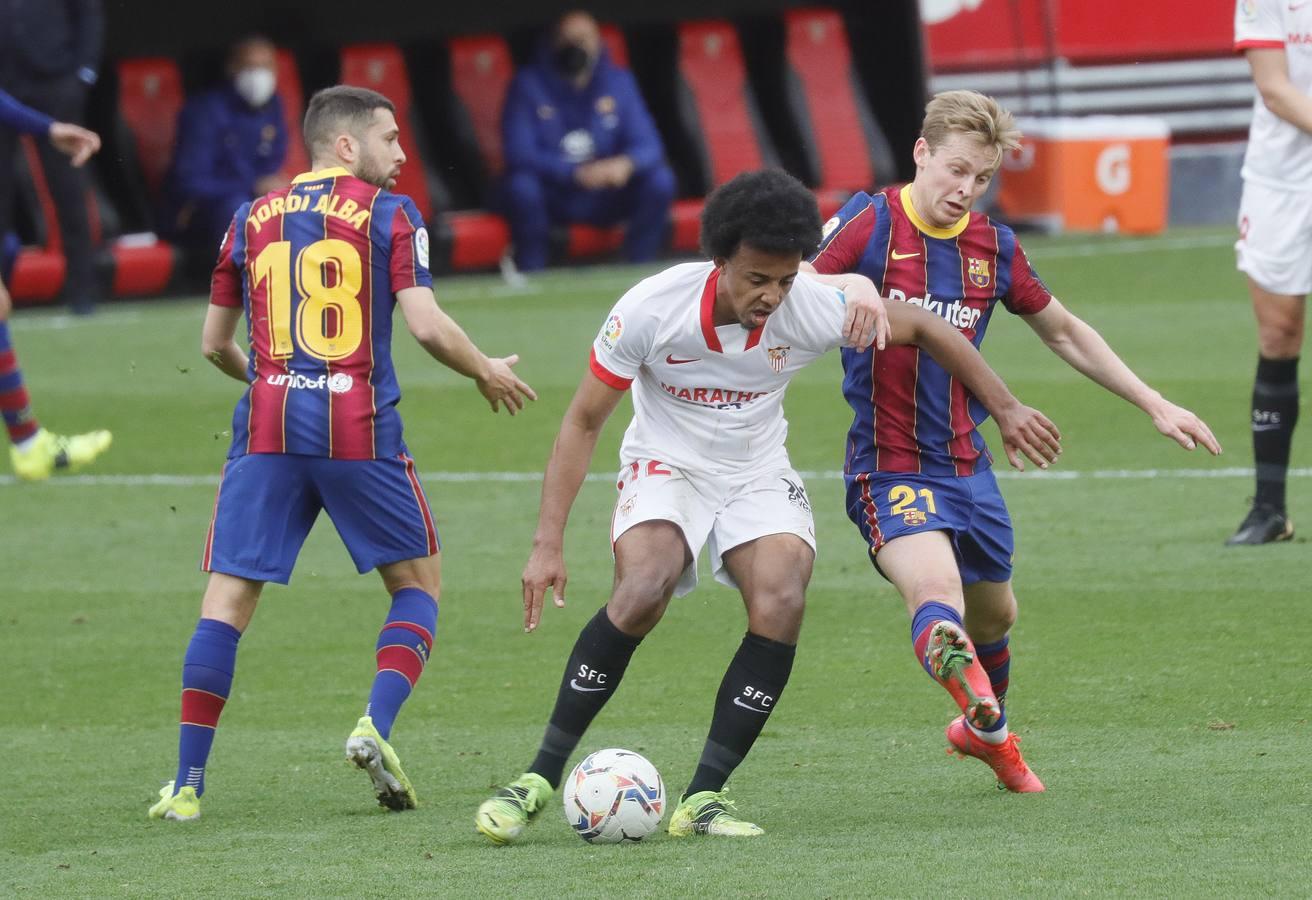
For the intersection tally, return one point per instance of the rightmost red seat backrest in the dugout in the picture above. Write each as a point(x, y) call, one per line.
point(844, 149)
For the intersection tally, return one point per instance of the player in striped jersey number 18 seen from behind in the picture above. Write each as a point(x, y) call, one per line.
point(318, 271)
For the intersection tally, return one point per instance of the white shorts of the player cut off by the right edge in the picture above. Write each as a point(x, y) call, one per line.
point(1275, 246)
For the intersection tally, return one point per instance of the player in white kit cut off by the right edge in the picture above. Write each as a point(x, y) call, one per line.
point(1276, 241)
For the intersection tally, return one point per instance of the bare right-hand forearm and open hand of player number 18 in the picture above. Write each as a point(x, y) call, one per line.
point(448, 343)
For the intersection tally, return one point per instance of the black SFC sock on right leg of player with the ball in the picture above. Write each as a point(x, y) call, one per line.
point(748, 695)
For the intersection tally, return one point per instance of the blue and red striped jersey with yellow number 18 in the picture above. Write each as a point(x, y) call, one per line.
point(317, 268)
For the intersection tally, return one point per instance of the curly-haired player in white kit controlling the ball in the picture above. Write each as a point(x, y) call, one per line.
point(708, 350)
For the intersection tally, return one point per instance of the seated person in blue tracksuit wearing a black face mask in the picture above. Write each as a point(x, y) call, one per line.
point(581, 146)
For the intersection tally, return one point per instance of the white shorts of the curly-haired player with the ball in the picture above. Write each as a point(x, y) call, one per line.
point(725, 514)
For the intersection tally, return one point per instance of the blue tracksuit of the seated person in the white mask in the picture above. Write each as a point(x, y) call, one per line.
point(224, 148)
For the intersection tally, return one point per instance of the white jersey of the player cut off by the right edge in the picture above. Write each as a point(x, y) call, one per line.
point(1279, 154)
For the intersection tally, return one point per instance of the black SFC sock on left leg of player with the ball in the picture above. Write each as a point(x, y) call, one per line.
point(596, 666)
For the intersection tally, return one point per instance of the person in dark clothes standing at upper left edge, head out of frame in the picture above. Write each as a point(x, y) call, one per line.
point(49, 58)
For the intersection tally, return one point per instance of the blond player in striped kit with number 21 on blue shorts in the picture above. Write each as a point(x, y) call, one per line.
point(920, 485)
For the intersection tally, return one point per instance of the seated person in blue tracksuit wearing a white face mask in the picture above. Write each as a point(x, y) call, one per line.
point(232, 145)
